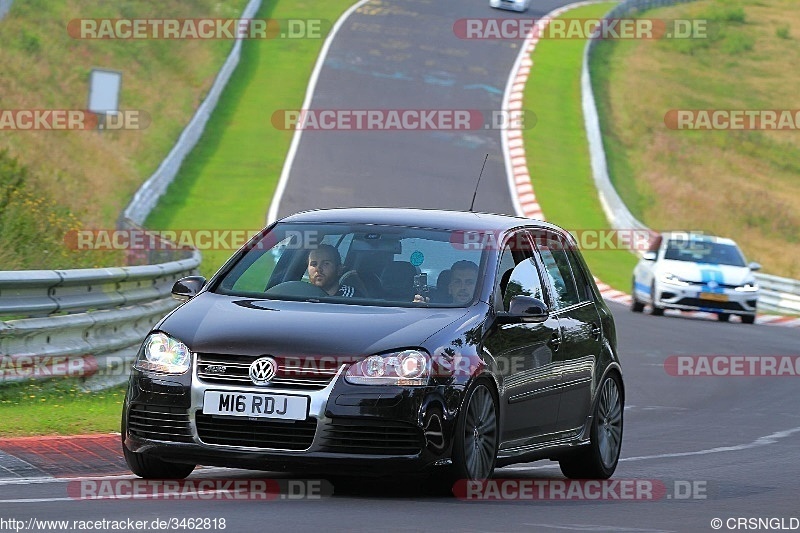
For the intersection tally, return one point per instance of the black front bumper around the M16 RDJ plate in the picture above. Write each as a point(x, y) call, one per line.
point(380, 428)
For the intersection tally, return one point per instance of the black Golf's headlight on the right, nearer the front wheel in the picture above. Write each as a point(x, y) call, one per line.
point(409, 367)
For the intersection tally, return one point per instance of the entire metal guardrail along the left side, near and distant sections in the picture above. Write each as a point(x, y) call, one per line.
point(88, 323)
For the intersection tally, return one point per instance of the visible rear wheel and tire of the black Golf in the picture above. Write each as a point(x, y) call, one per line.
point(599, 458)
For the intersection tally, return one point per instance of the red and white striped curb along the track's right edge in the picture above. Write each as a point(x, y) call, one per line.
point(516, 162)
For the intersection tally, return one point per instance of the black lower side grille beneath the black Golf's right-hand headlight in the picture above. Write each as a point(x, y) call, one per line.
point(372, 438)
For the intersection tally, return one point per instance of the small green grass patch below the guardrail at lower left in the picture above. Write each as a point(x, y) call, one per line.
point(58, 407)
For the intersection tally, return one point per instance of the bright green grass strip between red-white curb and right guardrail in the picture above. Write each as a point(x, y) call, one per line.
point(558, 152)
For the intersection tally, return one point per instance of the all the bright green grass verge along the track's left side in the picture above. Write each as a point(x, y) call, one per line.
point(227, 182)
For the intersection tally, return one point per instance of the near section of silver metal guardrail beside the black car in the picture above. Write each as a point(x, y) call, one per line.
point(110, 310)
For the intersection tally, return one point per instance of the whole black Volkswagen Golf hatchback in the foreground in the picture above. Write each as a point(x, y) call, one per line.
point(383, 339)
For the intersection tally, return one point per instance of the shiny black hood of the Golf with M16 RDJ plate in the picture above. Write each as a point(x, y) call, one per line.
point(214, 323)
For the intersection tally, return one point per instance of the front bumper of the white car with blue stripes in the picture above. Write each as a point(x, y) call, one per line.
point(699, 297)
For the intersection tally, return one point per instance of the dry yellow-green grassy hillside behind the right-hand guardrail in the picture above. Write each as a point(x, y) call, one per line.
point(741, 184)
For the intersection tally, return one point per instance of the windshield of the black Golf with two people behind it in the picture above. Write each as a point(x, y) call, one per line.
point(359, 264)
